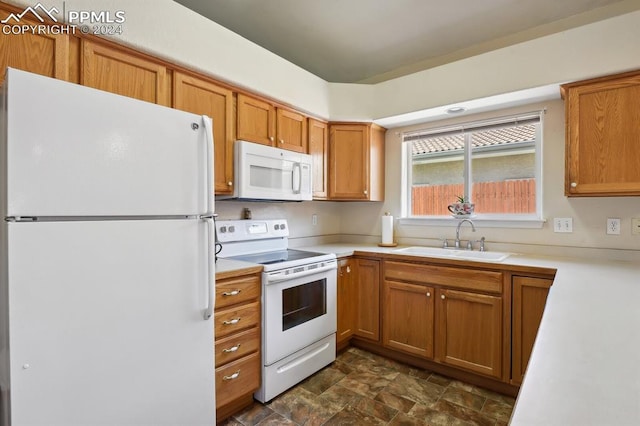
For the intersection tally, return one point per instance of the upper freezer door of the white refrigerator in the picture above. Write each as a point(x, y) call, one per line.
point(77, 151)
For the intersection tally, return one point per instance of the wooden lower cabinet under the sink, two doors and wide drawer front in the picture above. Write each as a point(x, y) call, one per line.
point(451, 315)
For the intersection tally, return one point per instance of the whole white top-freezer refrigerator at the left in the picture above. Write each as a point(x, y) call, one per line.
point(107, 272)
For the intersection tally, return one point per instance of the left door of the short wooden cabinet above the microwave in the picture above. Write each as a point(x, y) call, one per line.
point(256, 120)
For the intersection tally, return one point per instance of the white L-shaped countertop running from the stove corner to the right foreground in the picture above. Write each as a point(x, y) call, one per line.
point(585, 364)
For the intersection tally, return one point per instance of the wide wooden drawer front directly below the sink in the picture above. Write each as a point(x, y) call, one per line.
point(466, 279)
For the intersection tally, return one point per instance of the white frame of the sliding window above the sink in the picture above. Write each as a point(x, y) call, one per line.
point(508, 220)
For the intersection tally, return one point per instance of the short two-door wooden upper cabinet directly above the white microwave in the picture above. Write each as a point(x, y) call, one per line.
point(261, 122)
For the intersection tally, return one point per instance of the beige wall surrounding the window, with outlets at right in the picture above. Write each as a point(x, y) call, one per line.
point(589, 214)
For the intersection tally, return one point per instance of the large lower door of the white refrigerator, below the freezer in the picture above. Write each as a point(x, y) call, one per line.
point(106, 323)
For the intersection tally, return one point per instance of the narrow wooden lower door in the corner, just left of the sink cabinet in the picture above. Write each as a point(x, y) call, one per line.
point(368, 299)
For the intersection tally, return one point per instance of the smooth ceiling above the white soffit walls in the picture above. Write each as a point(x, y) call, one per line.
point(369, 41)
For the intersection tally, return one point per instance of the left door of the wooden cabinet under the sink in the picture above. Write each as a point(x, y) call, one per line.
point(407, 318)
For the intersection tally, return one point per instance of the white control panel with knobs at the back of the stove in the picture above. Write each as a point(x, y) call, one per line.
point(248, 230)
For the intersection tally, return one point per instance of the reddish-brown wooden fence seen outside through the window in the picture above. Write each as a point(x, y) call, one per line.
point(511, 196)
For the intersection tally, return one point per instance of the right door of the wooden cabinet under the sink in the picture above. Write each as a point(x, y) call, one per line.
point(469, 331)
